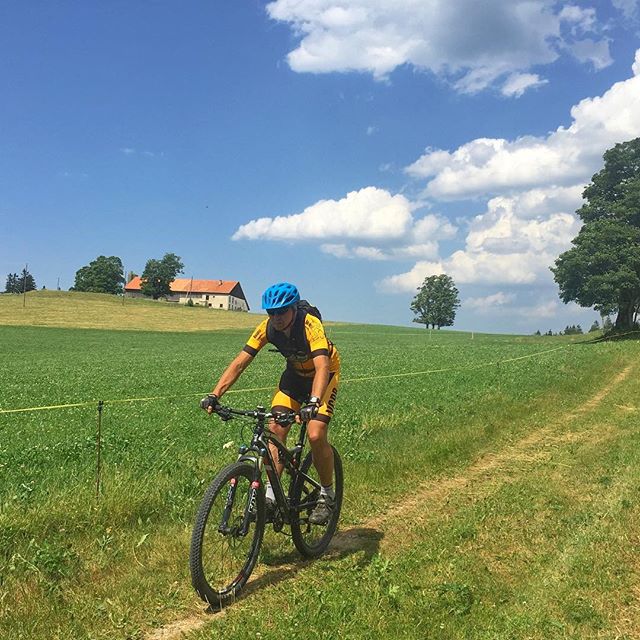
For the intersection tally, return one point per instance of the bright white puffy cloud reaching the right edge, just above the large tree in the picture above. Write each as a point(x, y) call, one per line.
point(566, 157)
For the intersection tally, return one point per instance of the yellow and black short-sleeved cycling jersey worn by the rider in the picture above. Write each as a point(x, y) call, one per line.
point(306, 340)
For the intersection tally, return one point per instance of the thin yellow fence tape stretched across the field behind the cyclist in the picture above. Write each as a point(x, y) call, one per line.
point(344, 381)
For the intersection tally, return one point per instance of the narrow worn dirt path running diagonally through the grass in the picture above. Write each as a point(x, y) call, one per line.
point(391, 531)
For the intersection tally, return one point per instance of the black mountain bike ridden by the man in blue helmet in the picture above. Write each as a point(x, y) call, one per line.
point(231, 519)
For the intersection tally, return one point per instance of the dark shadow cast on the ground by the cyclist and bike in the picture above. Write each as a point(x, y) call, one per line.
point(287, 567)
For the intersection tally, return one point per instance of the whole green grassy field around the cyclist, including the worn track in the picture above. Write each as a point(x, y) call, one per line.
point(491, 490)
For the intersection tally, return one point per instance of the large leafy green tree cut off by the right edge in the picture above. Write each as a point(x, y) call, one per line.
point(602, 269)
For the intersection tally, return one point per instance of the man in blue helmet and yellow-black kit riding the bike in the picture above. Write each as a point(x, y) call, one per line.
point(309, 383)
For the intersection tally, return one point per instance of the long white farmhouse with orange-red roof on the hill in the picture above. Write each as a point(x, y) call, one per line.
point(218, 294)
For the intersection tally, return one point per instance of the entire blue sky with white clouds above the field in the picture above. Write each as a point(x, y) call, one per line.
point(352, 147)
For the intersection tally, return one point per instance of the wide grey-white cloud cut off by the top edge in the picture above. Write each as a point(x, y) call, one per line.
point(473, 45)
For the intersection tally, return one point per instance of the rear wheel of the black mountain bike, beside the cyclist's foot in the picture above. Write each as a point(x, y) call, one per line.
point(312, 540)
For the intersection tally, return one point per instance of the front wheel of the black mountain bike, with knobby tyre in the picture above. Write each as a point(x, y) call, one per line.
point(222, 554)
